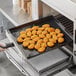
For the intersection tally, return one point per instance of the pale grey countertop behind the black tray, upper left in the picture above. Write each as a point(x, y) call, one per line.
point(16, 15)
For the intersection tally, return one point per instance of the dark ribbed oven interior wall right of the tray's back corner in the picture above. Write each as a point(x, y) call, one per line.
point(68, 24)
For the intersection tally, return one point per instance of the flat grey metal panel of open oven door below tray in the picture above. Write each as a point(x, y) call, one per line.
point(48, 60)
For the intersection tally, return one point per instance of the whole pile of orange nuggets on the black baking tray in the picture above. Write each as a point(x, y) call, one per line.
point(40, 37)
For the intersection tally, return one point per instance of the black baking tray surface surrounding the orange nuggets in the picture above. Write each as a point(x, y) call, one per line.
point(14, 32)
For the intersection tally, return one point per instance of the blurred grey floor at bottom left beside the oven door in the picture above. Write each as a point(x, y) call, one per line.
point(7, 68)
